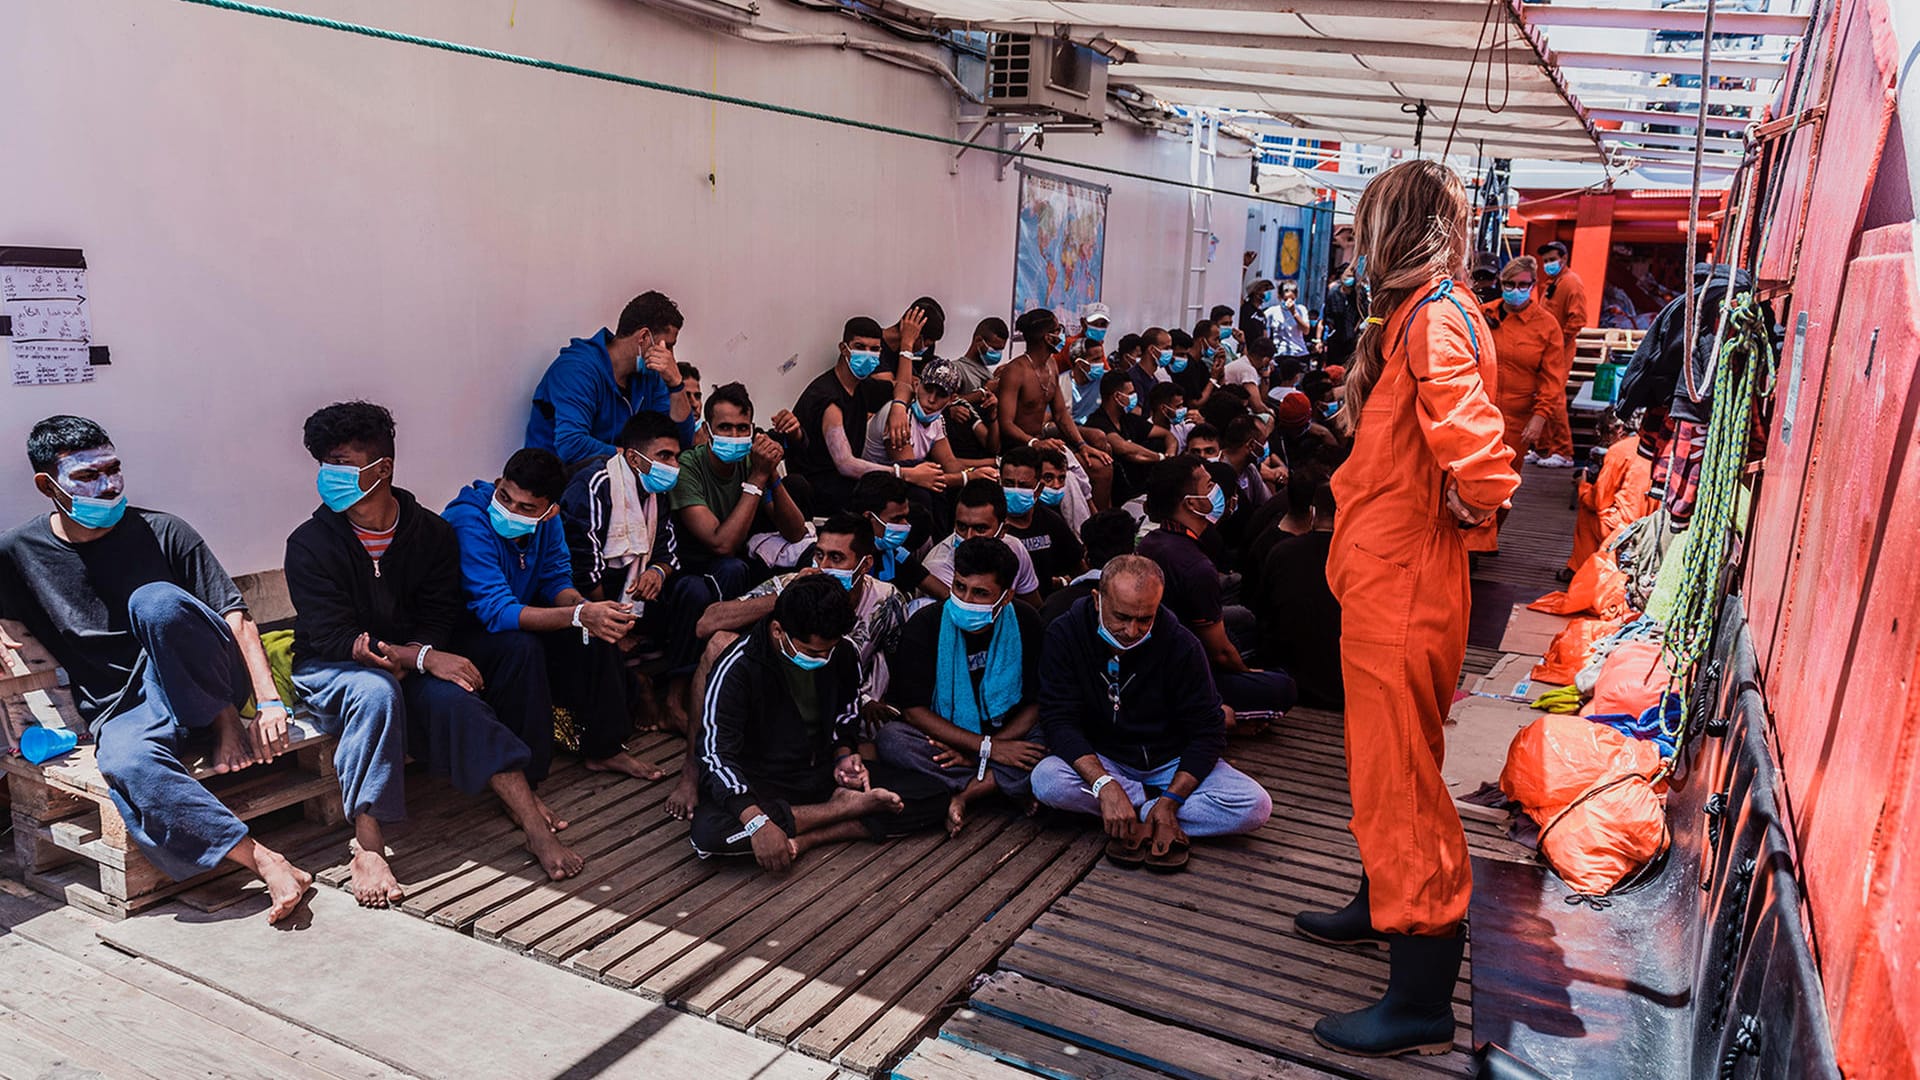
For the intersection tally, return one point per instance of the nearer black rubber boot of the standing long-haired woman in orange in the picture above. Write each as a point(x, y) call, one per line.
point(1418, 1012)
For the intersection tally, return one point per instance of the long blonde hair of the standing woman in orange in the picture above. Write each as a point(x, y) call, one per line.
point(1412, 228)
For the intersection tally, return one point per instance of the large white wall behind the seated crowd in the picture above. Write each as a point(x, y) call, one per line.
point(277, 218)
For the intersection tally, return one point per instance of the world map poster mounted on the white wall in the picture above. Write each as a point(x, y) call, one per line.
point(1061, 247)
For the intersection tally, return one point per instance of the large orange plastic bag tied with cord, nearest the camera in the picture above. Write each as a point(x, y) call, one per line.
point(1593, 795)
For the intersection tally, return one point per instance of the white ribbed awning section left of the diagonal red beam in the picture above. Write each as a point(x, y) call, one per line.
point(1356, 70)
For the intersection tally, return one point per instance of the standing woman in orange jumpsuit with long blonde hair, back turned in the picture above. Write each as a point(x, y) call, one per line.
point(1428, 460)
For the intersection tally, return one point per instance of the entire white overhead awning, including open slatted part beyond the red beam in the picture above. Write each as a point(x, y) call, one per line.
point(1506, 78)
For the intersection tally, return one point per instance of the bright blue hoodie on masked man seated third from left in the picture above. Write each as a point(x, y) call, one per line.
point(506, 576)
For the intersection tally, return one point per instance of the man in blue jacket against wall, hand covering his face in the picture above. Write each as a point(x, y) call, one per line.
point(598, 383)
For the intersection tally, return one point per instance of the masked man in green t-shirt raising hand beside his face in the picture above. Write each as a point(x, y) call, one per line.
point(729, 487)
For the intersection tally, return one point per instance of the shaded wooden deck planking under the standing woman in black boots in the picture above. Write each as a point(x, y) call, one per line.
point(1201, 975)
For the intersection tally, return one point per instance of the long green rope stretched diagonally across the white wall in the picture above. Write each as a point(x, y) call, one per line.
point(479, 53)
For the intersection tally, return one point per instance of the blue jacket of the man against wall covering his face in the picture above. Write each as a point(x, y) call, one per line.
point(579, 408)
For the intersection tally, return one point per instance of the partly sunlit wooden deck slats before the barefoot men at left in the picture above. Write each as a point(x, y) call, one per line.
point(853, 956)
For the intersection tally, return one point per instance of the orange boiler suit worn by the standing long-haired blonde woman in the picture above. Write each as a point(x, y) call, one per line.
point(1401, 574)
